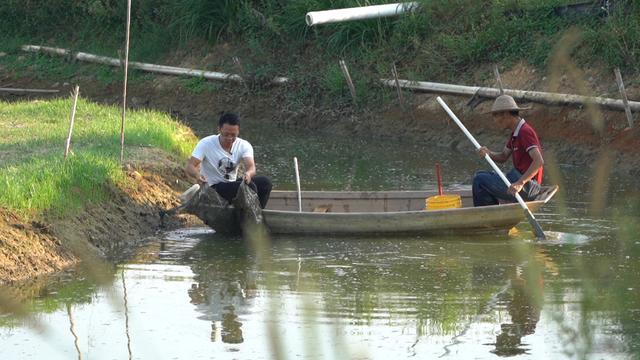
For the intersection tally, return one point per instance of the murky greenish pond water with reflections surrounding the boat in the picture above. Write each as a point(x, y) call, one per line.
point(192, 294)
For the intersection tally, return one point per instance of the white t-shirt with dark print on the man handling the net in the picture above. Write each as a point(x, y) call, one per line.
point(218, 165)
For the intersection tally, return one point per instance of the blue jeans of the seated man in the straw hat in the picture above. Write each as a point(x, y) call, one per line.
point(488, 188)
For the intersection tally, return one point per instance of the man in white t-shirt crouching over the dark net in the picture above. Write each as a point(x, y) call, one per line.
point(215, 161)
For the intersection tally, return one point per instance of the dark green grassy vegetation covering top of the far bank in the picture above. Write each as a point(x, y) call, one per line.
point(442, 40)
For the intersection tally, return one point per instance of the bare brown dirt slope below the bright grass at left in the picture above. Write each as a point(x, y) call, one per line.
point(109, 230)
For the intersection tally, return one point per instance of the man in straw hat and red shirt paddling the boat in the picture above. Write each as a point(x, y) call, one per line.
point(523, 147)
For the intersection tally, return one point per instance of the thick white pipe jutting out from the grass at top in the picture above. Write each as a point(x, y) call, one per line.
point(358, 13)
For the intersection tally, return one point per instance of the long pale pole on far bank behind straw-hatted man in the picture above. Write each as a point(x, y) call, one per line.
point(522, 95)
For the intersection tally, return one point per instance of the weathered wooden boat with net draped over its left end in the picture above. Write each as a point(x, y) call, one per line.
point(368, 212)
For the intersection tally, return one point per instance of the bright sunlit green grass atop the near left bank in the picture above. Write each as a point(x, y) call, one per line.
point(34, 177)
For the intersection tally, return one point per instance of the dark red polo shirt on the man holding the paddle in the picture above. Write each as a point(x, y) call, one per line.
point(522, 140)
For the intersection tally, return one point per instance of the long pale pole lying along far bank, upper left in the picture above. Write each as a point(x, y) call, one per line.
point(160, 69)
